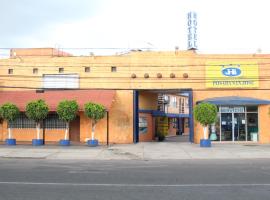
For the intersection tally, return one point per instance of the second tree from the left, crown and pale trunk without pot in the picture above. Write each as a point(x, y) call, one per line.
point(37, 111)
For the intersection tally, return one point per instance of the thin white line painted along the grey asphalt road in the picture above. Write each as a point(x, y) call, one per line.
point(137, 185)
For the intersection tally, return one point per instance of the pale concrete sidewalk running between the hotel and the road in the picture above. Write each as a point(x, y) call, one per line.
point(140, 151)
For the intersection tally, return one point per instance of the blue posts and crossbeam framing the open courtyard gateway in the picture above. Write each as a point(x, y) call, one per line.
point(158, 113)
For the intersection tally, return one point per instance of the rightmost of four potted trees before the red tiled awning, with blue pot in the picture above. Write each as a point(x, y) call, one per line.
point(95, 112)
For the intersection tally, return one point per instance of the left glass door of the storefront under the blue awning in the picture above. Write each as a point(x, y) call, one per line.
point(226, 126)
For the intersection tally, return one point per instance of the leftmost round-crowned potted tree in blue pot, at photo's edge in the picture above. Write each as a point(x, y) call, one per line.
point(9, 112)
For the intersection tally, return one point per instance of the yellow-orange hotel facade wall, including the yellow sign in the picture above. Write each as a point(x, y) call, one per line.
point(138, 78)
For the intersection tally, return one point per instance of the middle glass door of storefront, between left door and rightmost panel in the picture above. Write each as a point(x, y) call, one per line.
point(239, 127)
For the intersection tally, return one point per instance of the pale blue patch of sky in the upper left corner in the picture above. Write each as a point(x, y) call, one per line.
point(24, 18)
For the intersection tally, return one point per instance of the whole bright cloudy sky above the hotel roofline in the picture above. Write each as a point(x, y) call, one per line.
point(224, 26)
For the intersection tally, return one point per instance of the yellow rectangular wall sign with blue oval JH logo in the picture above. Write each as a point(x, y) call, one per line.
point(232, 75)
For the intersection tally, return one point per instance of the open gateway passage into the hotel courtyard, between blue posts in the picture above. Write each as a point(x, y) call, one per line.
point(163, 113)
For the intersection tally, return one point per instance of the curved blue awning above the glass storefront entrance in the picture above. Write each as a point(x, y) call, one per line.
point(235, 100)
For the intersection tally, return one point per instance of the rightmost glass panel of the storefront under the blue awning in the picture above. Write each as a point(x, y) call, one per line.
point(252, 127)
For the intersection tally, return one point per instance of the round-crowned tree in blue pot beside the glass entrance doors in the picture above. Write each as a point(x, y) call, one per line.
point(205, 114)
